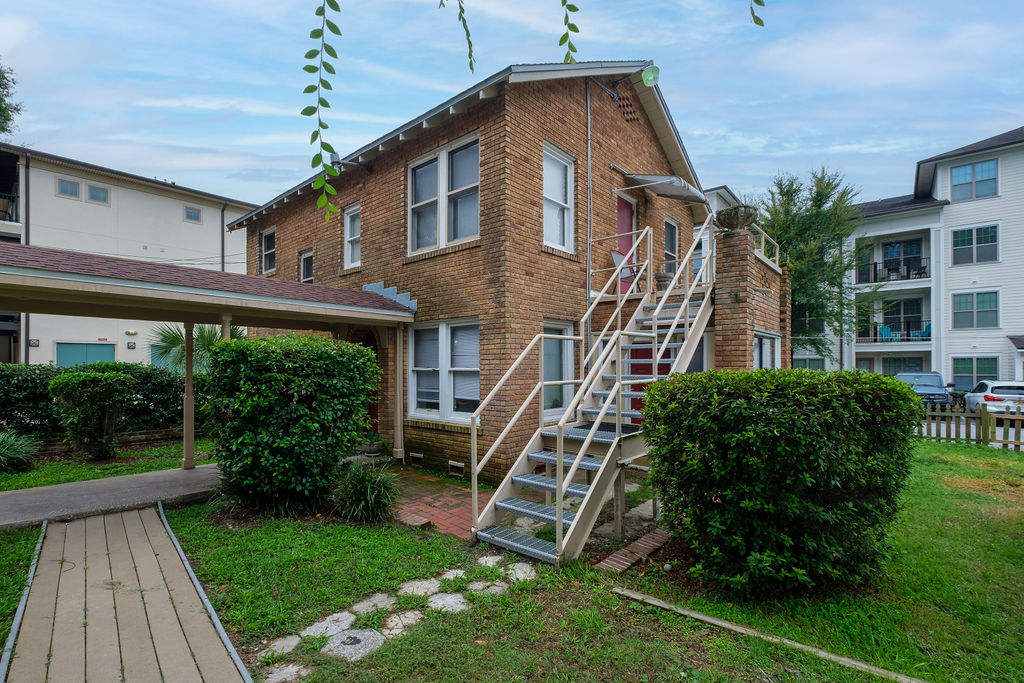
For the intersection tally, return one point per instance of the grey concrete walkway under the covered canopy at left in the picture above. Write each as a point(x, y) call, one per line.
point(79, 499)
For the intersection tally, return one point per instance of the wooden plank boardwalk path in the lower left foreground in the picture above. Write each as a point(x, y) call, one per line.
point(113, 602)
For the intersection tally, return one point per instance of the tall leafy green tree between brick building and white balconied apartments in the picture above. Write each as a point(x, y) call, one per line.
point(814, 223)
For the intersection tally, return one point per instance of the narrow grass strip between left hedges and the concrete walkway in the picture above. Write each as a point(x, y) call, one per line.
point(129, 461)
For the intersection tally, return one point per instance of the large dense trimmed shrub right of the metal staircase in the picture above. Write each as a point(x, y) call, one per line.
point(781, 480)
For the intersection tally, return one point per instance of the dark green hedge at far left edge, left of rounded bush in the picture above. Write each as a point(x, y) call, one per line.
point(25, 403)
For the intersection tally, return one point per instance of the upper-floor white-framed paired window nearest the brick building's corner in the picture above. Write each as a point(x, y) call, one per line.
point(445, 197)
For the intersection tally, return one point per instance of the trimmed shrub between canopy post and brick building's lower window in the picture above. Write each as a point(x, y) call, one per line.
point(284, 412)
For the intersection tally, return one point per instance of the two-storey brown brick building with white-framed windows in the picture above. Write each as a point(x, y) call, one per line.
point(497, 214)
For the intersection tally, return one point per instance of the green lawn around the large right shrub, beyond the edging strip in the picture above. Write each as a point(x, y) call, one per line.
point(948, 606)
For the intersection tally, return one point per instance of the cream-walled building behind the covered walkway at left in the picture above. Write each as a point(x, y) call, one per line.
point(52, 201)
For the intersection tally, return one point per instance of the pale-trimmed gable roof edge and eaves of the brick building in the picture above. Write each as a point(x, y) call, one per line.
point(651, 99)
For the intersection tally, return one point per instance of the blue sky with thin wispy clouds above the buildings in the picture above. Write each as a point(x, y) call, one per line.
point(207, 93)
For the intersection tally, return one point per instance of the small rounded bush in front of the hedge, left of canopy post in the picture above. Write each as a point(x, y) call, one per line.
point(90, 407)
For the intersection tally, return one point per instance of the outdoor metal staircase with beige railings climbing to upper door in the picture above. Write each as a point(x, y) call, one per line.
point(648, 335)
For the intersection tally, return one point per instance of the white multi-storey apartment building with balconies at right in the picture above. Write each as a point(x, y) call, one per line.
point(946, 262)
